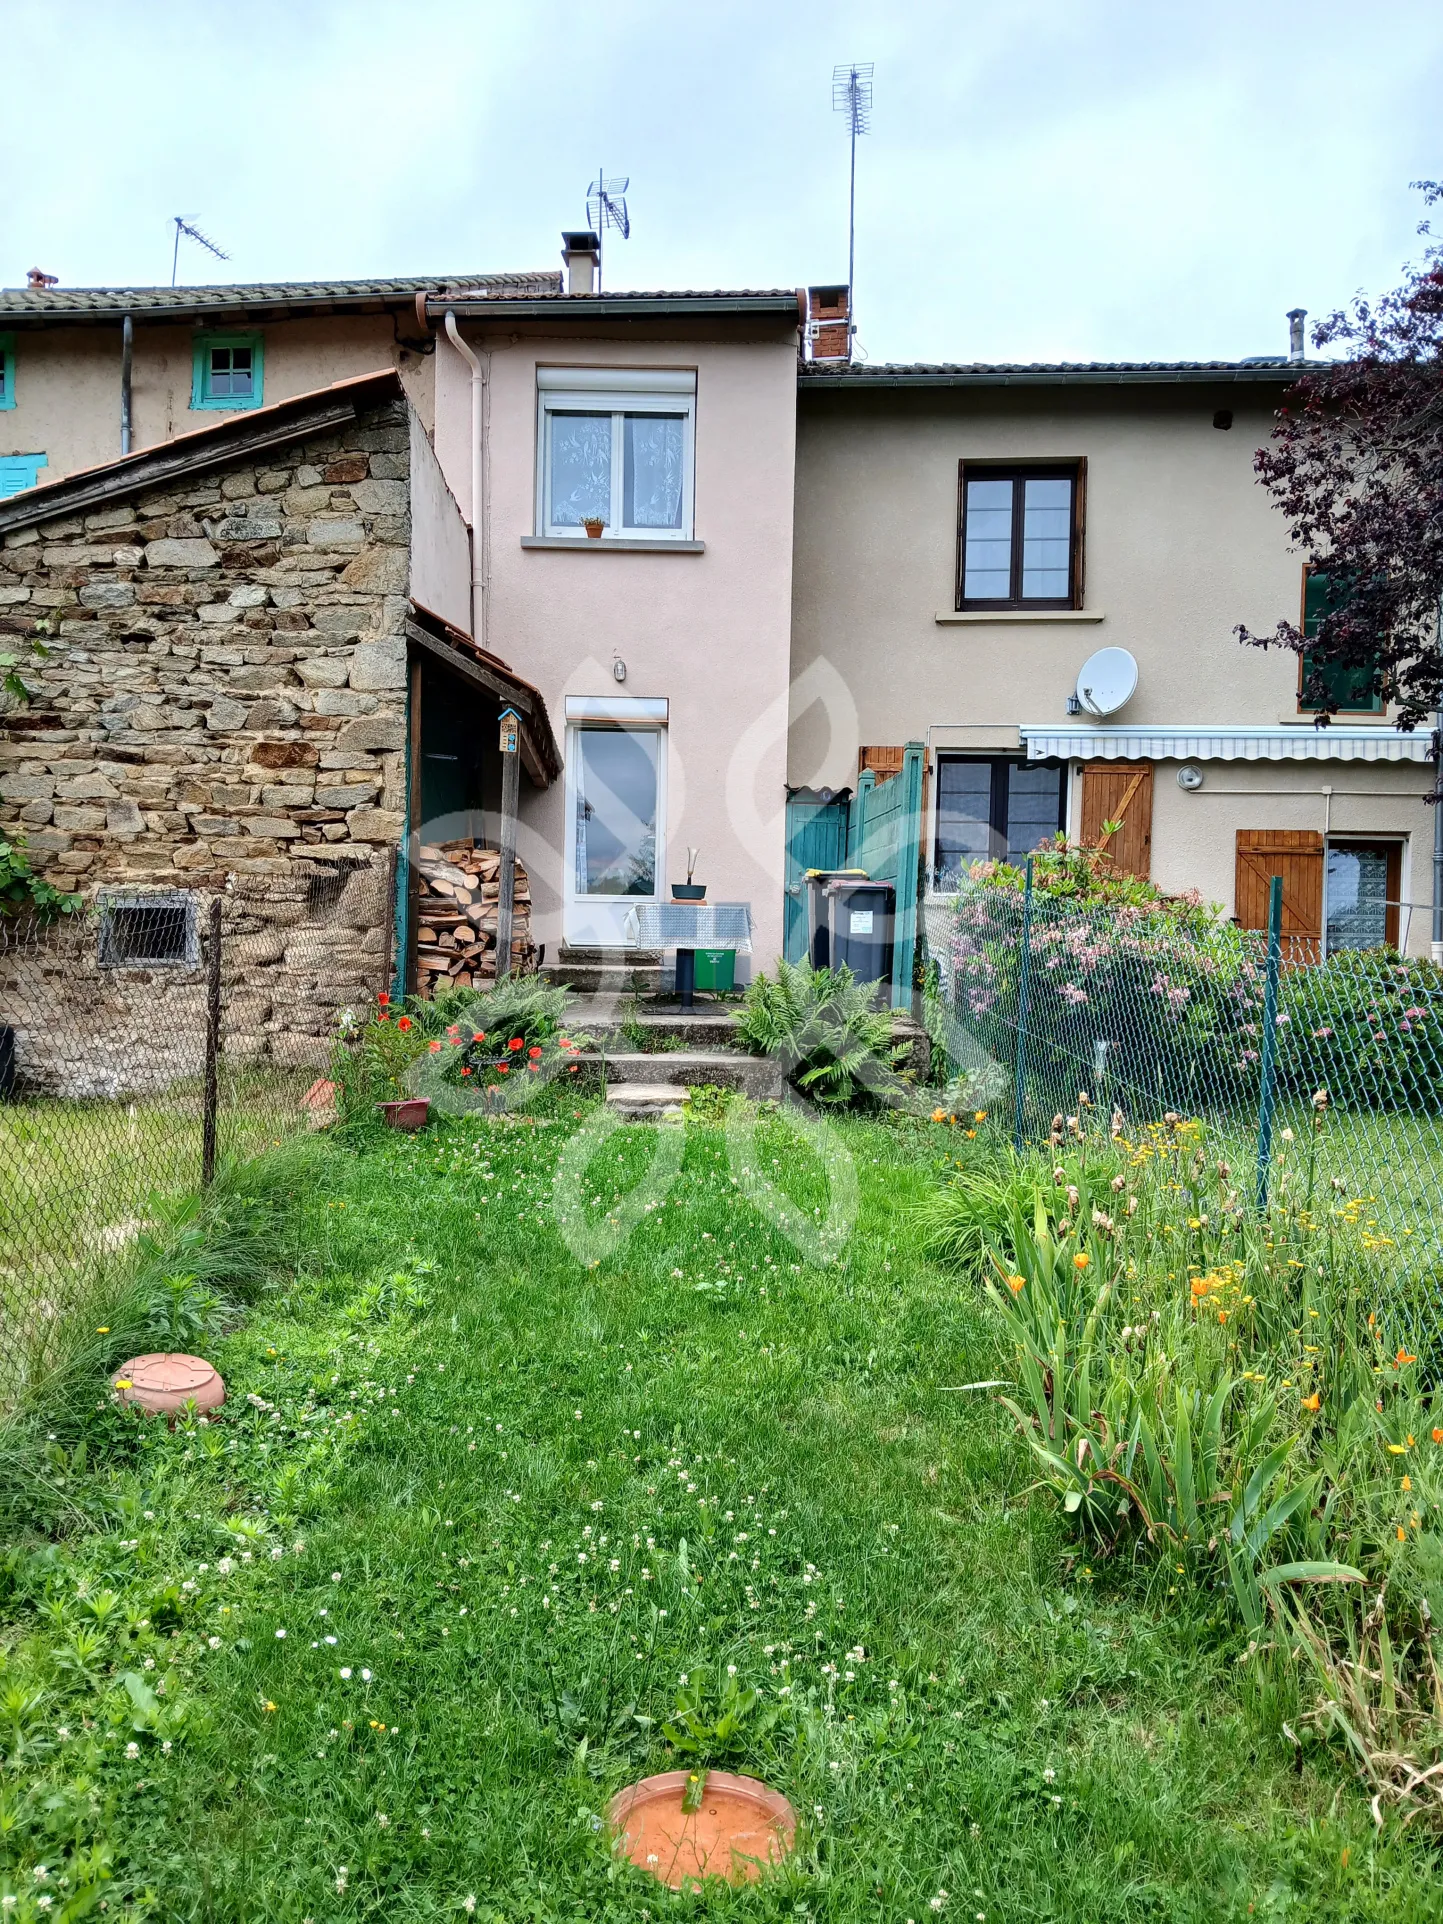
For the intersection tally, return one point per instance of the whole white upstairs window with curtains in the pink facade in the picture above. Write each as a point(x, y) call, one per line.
point(617, 449)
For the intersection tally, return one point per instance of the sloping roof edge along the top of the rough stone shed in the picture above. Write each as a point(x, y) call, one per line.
point(238, 438)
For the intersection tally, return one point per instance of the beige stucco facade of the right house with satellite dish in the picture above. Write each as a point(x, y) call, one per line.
point(1180, 545)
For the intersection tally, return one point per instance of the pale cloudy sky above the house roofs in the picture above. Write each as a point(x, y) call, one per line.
point(1044, 180)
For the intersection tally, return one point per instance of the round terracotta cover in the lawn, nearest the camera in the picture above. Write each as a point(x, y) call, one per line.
point(740, 1831)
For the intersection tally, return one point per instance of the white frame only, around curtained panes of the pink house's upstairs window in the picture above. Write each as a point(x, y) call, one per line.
point(617, 392)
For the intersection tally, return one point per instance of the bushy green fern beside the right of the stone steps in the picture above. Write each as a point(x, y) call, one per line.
point(824, 1028)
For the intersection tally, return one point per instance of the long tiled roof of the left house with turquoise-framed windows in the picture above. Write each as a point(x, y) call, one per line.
point(263, 297)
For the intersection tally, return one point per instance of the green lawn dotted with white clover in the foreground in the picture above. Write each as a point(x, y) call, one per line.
point(457, 1427)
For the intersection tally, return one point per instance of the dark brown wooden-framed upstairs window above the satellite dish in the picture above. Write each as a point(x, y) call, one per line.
point(1021, 536)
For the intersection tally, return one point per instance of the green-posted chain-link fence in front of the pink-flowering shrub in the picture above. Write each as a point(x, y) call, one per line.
point(1319, 1076)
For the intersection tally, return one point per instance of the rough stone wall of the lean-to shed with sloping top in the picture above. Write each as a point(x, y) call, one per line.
point(222, 711)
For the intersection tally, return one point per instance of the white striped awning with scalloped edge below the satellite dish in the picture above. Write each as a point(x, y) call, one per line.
point(1086, 742)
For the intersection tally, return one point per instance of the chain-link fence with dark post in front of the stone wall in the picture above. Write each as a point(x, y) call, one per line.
point(143, 1040)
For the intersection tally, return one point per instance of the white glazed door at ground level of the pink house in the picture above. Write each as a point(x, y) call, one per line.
point(615, 828)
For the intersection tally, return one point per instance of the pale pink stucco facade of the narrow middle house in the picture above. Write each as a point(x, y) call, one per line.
point(703, 628)
